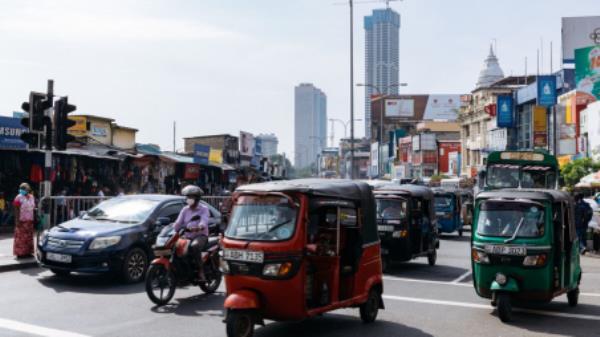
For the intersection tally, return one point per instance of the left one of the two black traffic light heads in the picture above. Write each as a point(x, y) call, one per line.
point(36, 120)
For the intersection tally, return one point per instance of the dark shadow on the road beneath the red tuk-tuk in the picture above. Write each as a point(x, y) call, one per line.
point(337, 325)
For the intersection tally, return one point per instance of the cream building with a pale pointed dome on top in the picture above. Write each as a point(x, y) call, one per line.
point(479, 132)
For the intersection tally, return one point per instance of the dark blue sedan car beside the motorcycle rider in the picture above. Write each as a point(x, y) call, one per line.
point(114, 236)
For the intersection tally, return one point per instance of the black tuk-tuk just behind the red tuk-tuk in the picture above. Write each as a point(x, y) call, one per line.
point(406, 223)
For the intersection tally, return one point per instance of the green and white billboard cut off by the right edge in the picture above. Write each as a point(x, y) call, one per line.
point(587, 72)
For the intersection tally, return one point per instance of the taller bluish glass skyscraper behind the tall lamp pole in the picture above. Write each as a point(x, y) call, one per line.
point(382, 55)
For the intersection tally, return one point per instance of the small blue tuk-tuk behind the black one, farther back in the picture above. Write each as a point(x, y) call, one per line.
point(448, 211)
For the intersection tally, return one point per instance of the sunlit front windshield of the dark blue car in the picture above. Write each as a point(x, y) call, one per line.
point(123, 210)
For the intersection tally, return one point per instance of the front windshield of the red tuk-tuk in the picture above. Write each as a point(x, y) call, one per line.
point(269, 218)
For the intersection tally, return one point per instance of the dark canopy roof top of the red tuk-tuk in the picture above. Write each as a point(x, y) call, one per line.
point(335, 188)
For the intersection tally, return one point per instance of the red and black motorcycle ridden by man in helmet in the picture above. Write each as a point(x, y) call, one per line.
point(173, 267)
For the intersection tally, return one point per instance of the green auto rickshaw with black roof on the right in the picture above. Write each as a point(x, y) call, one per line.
point(524, 247)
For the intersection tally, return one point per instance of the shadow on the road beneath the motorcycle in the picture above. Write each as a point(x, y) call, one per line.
point(202, 305)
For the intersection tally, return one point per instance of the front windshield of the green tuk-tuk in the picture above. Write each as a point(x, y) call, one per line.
point(504, 219)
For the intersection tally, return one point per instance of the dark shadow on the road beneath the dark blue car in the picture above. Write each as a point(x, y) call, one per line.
point(90, 284)
